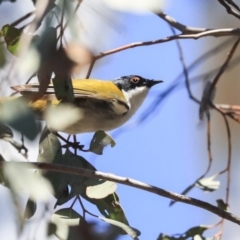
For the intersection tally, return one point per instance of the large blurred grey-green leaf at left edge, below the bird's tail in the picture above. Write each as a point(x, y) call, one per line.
point(19, 116)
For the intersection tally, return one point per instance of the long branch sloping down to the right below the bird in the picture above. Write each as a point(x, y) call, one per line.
point(133, 183)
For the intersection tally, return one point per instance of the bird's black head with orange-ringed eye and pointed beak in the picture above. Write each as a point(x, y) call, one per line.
point(133, 81)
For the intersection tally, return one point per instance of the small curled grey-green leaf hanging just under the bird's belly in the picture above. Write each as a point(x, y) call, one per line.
point(100, 140)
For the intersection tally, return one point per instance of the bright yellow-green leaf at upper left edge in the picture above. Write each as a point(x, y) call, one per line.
point(11, 36)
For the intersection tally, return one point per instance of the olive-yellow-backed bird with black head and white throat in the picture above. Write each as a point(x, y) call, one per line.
point(103, 105)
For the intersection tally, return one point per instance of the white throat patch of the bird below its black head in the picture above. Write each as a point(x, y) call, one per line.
point(135, 98)
